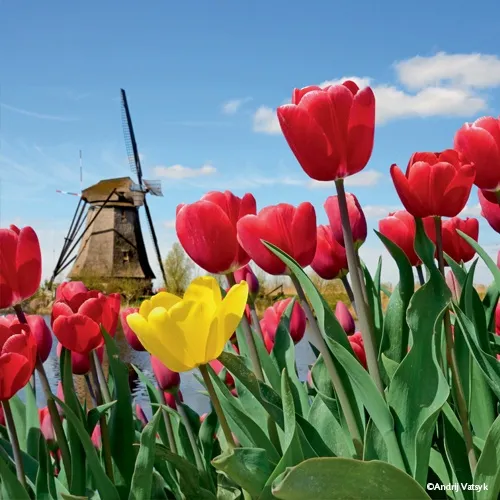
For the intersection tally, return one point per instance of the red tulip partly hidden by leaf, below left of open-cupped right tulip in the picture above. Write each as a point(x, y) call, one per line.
point(400, 228)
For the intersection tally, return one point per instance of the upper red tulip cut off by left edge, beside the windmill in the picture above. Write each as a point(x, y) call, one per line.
point(20, 265)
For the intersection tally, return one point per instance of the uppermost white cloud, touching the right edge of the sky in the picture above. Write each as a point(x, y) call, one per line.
point(468, 70)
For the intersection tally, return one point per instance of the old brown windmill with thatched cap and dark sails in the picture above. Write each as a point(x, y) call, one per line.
point(110, 239)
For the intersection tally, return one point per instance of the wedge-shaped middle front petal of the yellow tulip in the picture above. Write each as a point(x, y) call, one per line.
point(194, 319)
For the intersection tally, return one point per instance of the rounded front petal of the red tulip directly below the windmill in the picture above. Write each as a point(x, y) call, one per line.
point(78, 333)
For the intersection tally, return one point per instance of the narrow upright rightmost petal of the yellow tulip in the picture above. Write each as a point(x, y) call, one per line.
point(227, 318)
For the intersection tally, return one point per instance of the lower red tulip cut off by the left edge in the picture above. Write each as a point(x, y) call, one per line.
point(17, 358)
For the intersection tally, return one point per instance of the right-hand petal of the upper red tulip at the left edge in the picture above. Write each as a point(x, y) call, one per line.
point(28, 263)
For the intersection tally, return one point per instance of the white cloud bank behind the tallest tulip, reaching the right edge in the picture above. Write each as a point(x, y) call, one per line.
point(440, 85)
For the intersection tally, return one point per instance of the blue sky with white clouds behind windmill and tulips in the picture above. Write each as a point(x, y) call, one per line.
point(203, 80)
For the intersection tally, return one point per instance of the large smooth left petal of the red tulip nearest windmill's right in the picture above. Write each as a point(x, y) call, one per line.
point(208, 236)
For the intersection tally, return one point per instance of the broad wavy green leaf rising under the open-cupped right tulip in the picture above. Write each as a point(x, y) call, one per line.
point(416, 405)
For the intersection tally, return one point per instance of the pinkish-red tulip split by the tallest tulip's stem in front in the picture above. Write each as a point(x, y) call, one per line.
point(357, 219)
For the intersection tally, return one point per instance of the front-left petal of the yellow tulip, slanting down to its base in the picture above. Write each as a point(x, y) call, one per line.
point(168, 338)
